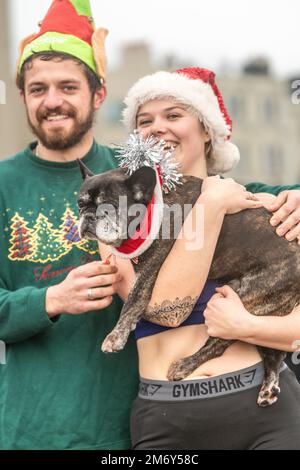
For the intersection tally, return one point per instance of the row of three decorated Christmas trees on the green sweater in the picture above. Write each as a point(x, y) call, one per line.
point(44, 243)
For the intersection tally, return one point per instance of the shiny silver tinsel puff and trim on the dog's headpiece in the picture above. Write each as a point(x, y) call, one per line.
point(138, 152)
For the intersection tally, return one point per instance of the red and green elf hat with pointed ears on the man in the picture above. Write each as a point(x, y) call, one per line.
point(69, 27)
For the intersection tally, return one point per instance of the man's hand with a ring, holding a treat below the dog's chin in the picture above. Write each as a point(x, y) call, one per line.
point(73, 294)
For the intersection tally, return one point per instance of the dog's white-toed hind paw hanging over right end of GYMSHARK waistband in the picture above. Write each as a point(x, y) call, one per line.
point(270, 389)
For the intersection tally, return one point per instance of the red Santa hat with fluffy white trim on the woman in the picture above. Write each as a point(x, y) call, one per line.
point(196, 88)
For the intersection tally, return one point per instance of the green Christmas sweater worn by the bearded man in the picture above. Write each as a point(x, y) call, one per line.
point(57, 389)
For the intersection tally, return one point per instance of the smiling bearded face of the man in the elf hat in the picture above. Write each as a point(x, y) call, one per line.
point(59, 104)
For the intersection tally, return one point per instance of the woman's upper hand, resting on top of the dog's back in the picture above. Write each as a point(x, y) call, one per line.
point(232, 197)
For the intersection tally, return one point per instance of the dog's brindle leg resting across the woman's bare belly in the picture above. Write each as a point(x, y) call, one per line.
point(214, 347)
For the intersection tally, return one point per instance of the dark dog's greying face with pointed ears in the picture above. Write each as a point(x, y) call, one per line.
point(106, 202)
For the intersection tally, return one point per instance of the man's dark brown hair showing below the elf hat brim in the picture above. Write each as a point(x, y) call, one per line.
point(93, 80)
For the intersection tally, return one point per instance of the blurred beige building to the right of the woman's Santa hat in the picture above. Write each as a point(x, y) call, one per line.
point(266, 125)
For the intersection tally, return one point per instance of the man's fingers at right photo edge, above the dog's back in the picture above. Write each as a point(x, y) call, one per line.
point(286, 214)
